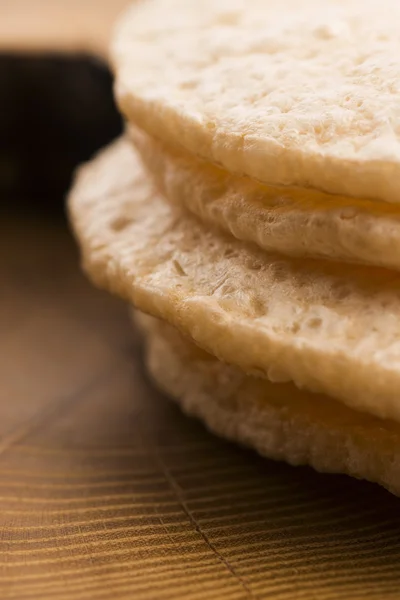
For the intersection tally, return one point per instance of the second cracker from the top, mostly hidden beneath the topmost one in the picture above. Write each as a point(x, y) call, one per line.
point(289, 220)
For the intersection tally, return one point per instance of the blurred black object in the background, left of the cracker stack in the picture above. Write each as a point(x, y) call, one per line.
point(55, 112)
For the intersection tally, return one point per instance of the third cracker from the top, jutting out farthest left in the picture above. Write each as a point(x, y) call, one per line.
point(327, 326)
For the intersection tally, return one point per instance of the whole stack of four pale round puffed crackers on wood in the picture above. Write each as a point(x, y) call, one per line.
point(252, 211)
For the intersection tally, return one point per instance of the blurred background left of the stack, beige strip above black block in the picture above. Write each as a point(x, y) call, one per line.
point(56, 102)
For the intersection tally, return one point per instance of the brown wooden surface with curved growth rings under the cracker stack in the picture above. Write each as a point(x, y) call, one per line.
point(108, 492)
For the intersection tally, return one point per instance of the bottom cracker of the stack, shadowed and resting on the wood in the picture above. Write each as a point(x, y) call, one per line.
point(278, 420)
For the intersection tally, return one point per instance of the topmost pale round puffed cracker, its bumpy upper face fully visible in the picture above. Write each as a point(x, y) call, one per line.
point(291, 93)
